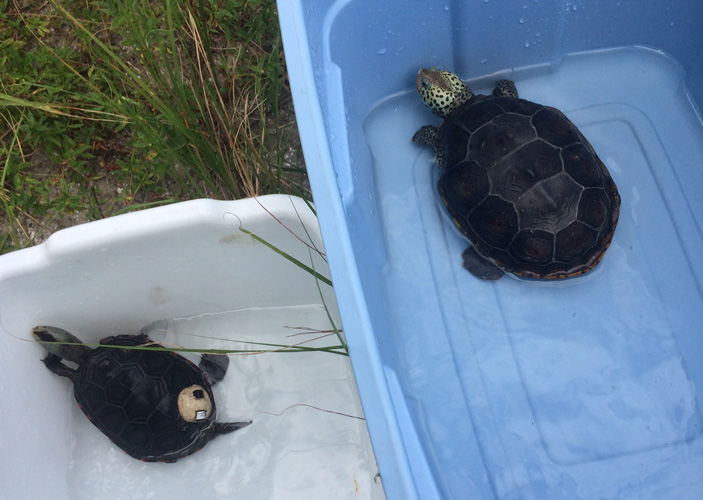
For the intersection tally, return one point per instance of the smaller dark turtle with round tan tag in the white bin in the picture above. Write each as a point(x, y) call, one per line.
point(155, 405)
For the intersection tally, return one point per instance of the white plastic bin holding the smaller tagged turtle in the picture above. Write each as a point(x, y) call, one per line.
point(188, 263)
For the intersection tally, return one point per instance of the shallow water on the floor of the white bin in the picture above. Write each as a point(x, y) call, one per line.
point(288, 451)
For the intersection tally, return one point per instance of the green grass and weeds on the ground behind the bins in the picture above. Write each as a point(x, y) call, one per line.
point(112, 106)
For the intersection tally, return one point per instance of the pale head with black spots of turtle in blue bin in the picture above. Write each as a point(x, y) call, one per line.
point(441, 90)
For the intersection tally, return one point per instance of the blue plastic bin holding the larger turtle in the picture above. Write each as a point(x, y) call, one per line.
point(586, 388)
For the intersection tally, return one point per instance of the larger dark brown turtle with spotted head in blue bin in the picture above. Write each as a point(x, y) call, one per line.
point(519, 180)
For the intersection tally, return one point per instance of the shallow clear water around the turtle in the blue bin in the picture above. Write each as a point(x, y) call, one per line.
point(547, 378)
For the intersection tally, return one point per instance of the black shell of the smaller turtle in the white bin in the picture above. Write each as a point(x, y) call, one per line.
point(131, 395)
